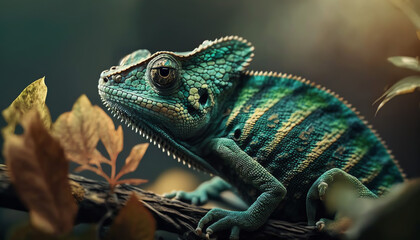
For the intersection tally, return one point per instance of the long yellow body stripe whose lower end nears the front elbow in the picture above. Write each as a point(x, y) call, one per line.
point(327, 140)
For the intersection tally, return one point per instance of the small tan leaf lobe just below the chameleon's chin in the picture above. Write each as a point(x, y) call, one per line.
point(111, 138)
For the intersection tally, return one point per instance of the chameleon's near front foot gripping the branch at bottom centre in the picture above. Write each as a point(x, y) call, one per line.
point(221, 219)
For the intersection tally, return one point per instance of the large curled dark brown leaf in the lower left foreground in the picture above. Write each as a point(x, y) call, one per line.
point(39, 170)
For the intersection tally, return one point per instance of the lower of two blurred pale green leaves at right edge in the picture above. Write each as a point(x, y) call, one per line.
point(404, 86)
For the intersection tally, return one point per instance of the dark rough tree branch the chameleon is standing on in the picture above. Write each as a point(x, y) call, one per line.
point(171, 215)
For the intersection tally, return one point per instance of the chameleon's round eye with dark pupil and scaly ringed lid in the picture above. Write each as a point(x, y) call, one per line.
point(163, 72)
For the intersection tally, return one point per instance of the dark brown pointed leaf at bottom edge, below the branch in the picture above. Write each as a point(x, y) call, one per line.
point(133, 222)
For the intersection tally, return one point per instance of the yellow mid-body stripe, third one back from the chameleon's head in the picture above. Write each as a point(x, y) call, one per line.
point(295, 119)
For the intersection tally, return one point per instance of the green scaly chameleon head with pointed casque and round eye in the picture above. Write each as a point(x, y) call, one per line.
point(171, 95)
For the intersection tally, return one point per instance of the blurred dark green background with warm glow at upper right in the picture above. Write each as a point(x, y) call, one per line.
point(340, 44)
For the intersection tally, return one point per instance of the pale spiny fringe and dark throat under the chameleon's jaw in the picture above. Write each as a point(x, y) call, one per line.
point(156, 136)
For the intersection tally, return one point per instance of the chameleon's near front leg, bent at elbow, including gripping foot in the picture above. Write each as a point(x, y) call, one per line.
point(252, 173)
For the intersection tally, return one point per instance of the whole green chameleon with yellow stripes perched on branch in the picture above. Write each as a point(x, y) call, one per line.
point(276, 140)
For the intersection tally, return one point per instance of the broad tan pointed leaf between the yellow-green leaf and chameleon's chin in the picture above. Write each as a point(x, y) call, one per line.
point(77, 132)
